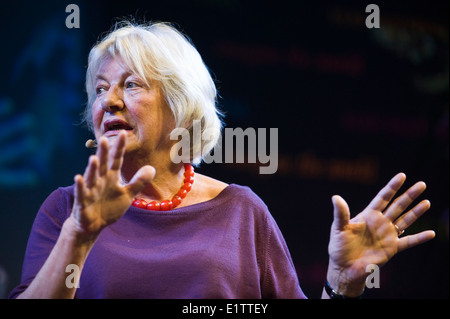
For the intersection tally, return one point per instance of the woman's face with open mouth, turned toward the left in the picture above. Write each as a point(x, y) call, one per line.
point(125, 102)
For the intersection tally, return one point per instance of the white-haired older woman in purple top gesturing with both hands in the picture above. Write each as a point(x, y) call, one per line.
point(139, 225)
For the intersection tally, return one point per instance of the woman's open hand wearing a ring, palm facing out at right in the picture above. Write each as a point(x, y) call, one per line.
point(372, 236)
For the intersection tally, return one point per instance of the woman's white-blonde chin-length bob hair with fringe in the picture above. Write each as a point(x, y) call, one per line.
point(157, 51)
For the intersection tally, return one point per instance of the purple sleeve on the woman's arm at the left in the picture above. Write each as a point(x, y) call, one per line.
point(43, 236)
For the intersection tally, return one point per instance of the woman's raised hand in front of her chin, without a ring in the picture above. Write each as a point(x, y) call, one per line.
point(100, 196)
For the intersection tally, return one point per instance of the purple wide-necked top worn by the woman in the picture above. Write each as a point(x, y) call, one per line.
point(227, 247)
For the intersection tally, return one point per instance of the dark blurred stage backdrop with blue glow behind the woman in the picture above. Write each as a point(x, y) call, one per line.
point(353, 106)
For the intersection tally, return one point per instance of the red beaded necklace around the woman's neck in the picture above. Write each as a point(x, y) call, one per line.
point(176, 200)
